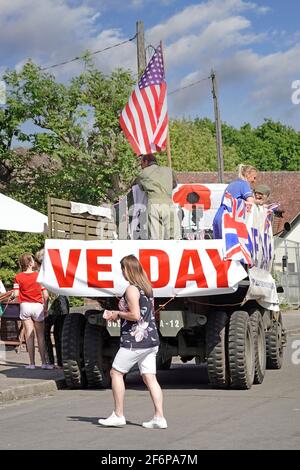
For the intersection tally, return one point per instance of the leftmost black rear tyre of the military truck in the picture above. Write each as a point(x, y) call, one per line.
point(72, 350)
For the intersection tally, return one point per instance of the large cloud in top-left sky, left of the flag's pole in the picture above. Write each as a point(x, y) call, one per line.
point(52, 31)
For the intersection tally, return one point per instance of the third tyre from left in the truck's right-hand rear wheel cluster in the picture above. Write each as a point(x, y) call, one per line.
point(259, 340)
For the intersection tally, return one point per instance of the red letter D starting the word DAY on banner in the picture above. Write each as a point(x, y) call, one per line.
point(163, 266)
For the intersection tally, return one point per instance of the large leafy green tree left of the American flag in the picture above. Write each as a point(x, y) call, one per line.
point(78, 132)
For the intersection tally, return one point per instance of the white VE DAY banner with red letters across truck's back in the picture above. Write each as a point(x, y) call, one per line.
point(175, 267)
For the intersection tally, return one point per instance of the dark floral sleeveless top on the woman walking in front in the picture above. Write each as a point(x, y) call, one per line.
point(143, 333)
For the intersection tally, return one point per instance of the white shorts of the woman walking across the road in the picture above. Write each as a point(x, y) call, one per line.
point(145, 358)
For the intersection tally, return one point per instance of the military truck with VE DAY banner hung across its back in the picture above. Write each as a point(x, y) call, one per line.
point(207, 307)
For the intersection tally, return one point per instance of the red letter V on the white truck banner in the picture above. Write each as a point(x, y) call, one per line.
point(64, 280)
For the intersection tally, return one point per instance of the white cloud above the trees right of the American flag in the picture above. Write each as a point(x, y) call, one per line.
point(267, 80)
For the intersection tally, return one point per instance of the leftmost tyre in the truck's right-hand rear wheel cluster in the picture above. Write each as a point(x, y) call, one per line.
point(216, 349)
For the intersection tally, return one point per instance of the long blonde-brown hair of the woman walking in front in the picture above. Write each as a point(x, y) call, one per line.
point(135, 274)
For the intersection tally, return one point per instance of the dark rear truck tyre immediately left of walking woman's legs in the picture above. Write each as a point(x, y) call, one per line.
point(97, 367)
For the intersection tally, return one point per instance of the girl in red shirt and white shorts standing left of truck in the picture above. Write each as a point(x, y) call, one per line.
point(33, 300)
